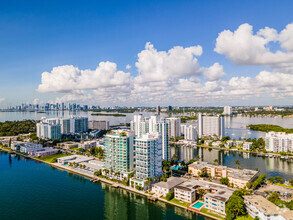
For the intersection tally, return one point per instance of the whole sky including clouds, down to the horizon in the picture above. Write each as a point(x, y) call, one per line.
point(146, 53)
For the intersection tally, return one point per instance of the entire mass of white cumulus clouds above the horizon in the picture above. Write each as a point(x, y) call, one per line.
point(175, 76)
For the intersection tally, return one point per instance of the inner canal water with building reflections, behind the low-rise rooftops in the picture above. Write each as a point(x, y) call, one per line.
point(266, 165)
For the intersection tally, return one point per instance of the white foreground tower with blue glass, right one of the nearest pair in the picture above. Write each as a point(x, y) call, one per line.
point(148, 155)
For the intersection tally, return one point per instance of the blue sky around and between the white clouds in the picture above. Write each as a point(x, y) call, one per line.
point(36, 36)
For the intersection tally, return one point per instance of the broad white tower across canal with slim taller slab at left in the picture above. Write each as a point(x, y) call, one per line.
point(210, 125)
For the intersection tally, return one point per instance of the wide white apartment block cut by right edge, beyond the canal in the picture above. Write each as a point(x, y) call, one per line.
point(279, 141)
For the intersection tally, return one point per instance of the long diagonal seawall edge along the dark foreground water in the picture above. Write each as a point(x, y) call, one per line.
point(94, 179)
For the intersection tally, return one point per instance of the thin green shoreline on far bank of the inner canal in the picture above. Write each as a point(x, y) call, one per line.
point(235, 150)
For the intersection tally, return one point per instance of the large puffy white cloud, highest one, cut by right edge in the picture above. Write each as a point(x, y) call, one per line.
point(246, 48)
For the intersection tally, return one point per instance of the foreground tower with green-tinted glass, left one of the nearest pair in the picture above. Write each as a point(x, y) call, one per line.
point(119, 151)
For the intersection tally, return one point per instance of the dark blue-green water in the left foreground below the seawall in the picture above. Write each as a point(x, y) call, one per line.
point(31, 190)
